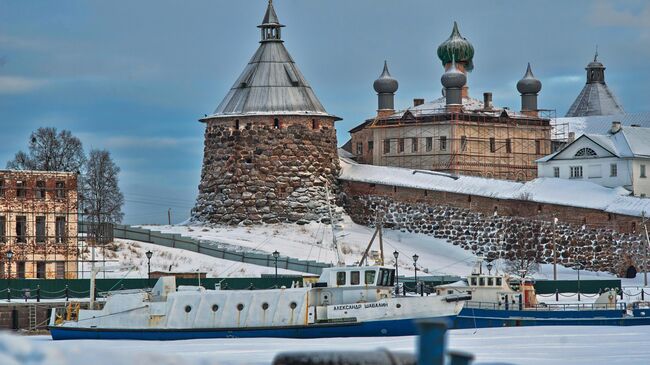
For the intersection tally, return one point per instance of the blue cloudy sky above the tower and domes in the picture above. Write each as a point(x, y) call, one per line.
point(134, 77)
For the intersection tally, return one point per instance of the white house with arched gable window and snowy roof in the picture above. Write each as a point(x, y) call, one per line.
point(617, 158)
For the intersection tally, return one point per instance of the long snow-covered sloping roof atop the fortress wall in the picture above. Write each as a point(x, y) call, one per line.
point(576, 193)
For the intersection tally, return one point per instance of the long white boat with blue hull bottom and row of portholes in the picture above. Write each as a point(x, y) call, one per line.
point(346, 301)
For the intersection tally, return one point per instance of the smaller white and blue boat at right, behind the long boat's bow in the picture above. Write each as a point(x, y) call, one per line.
point(498, 300)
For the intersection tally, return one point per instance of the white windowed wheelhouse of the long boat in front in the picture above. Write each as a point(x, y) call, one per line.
point(356, 276)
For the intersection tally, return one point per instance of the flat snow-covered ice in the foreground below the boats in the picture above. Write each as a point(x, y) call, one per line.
point(523, 345)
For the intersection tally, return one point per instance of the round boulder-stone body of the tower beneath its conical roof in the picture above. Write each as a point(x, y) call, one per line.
point(267, 169)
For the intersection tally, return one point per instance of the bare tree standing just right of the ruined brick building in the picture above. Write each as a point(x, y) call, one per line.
point(102, 199)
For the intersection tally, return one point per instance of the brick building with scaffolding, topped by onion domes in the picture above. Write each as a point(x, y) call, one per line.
point(457, 133)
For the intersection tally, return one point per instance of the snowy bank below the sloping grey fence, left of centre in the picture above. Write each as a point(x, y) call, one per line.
point(126, 258)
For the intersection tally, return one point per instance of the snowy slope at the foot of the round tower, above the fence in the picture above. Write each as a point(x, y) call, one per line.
point(313, 242)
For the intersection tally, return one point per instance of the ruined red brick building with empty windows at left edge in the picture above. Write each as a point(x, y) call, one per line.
point(38, 224)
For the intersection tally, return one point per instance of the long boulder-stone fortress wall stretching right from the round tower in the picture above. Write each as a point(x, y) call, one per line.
point(485, 228)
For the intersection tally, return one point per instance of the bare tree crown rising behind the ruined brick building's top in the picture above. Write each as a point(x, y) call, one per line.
point(50, 151)
